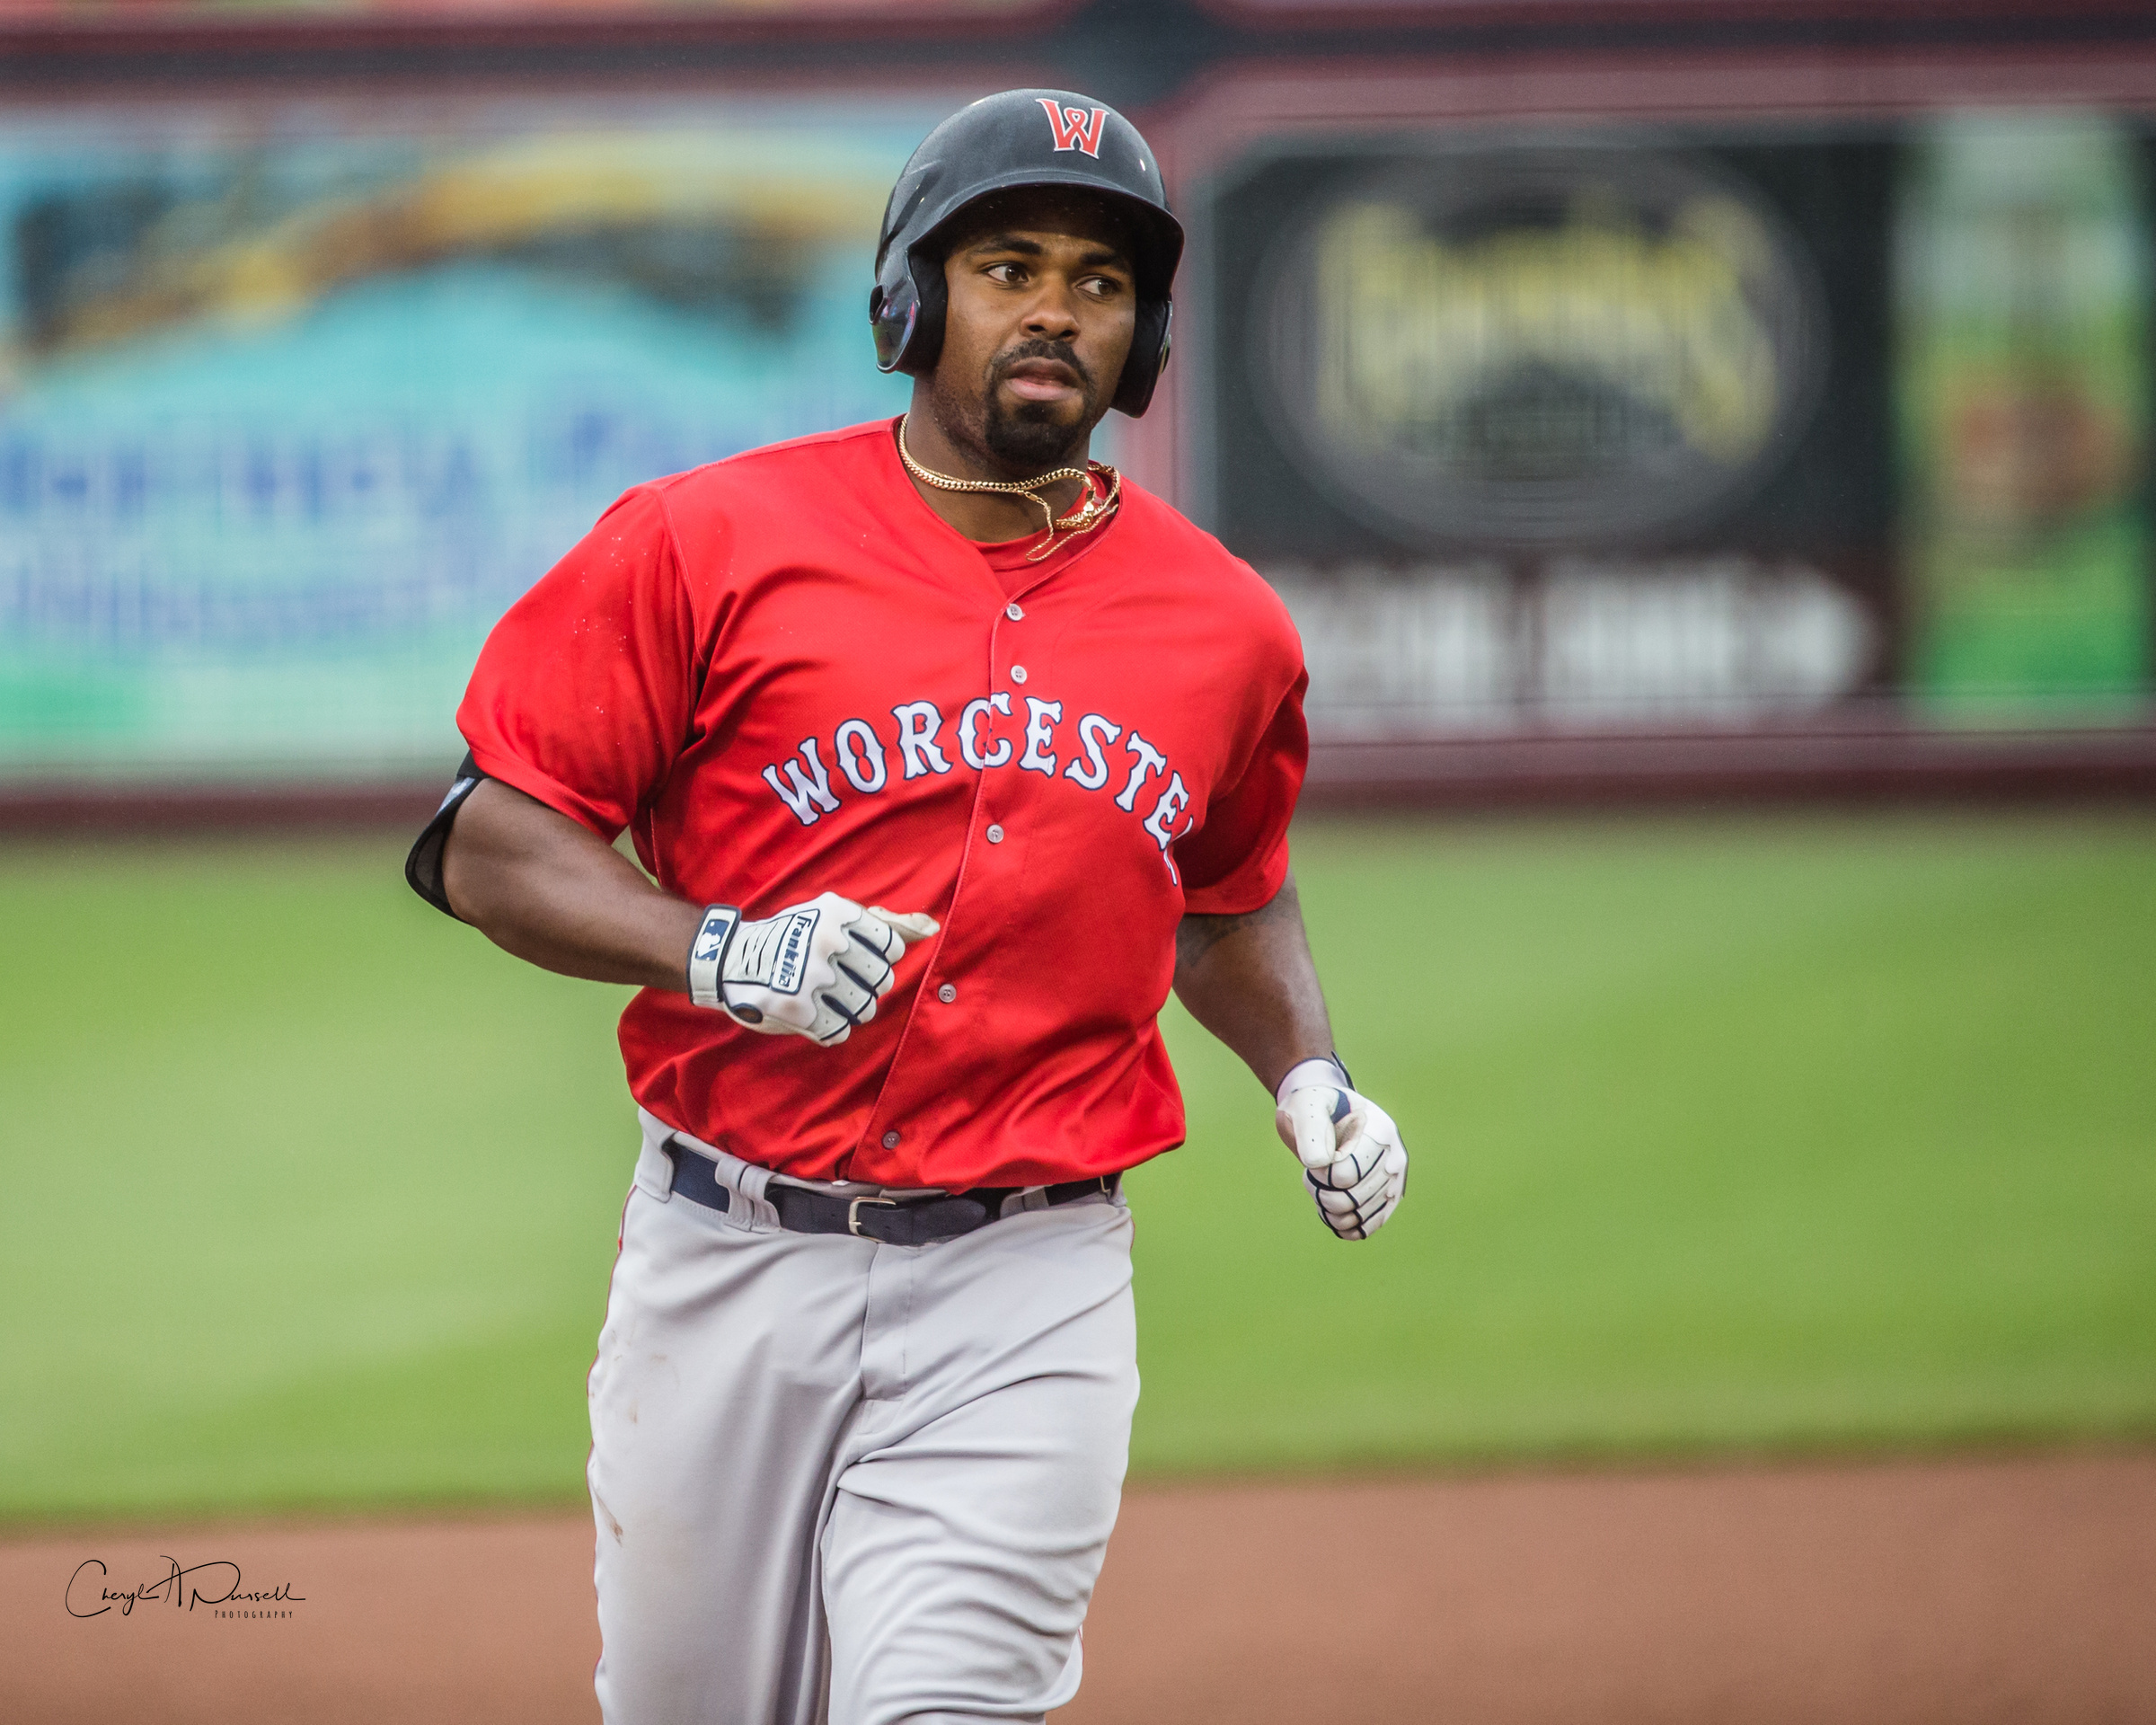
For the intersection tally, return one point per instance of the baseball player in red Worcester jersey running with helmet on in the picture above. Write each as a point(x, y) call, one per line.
point(948, 754)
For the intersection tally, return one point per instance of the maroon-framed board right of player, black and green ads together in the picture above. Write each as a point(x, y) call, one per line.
point(1640, 428)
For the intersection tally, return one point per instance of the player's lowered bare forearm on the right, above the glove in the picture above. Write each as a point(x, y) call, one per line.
point(1254, 984)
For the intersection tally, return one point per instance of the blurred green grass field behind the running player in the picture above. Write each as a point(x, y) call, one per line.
point(1788, 1133)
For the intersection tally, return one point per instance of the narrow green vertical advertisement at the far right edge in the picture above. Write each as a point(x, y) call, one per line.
point(2023, 303)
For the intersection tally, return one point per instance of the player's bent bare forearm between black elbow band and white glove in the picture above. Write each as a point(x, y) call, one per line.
point(547, 889)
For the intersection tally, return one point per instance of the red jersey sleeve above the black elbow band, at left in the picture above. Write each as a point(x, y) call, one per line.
point(583, 691)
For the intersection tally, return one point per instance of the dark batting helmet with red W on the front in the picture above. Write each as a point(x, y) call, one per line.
point(999, 143)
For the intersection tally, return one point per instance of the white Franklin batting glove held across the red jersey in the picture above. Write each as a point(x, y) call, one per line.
point(814, 971)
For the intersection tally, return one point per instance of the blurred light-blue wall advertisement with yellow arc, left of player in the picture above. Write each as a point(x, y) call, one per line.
point(296, 400)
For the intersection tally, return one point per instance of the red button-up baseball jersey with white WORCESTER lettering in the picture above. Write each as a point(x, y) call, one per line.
point(786, 676)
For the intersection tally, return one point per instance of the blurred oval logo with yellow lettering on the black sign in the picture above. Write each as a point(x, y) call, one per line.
point(1540, 346)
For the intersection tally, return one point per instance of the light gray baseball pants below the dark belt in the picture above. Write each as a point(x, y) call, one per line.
point(840, 1482)
